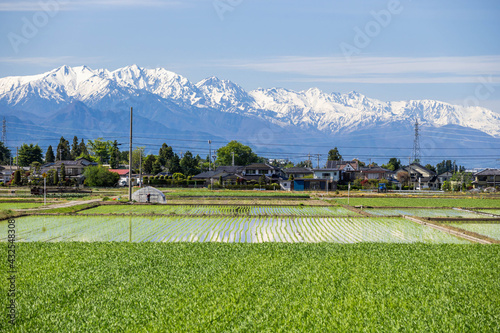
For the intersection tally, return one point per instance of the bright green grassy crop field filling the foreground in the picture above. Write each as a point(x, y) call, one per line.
point(156, 287)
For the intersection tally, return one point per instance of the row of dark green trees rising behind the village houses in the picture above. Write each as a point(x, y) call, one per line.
point(104, 152)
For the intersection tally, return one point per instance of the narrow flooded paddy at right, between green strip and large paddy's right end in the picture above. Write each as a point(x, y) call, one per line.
point(422, 212)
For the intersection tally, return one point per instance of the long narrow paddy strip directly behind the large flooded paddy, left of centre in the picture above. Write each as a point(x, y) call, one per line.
point(221, 210)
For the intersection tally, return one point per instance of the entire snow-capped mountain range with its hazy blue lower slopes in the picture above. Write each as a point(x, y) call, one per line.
point(101, 99)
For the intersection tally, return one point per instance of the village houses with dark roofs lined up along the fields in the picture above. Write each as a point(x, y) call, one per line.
point(335, 175)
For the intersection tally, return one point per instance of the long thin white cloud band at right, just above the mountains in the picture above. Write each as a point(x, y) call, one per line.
point(362, 69)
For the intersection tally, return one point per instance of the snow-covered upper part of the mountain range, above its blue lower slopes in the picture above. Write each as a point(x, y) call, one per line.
point(311, 108)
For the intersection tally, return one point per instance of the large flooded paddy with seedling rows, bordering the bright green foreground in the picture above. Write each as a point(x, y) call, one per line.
point(224, 229)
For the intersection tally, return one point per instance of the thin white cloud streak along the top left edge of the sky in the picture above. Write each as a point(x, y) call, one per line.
point(64, 5)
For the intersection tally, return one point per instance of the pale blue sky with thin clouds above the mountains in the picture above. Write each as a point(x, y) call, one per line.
point(390, 50)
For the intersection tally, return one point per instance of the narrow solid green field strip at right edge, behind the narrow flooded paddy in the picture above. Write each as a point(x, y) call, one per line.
point(422, 202)
